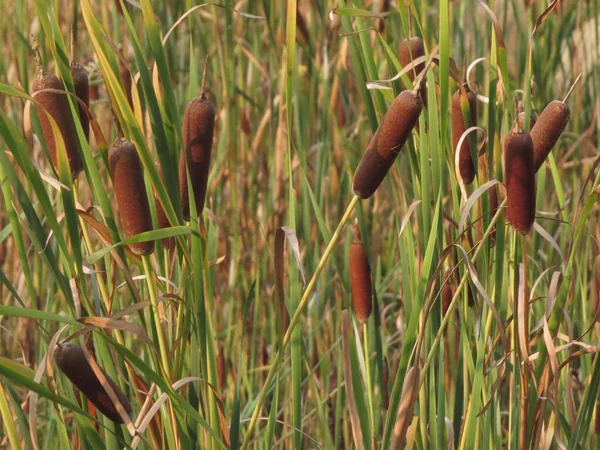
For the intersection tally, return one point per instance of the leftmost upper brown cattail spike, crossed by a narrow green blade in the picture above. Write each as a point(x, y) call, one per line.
point(57, 105)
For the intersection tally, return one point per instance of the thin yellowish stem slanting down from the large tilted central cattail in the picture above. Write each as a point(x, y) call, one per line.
point(296, 318)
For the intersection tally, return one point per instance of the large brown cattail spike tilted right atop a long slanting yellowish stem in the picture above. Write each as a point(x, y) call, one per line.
point(387, 142)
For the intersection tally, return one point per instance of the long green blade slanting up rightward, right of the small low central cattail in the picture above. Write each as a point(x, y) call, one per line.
point(411, 332)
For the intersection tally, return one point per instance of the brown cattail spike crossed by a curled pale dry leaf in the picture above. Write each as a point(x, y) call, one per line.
point(466, 166)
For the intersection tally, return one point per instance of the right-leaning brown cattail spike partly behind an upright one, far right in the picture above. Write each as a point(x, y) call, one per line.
point(547, 130)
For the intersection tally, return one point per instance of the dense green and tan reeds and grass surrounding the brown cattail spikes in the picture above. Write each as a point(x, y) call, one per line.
point(195, 336)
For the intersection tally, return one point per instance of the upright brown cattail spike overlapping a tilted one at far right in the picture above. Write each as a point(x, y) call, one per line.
point(519, 178)
